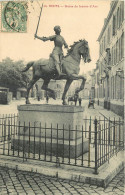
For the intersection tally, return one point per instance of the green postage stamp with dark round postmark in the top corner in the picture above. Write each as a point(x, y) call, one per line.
point(14, 16)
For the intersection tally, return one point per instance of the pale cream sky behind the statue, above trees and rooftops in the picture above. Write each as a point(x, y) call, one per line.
point(78, 20)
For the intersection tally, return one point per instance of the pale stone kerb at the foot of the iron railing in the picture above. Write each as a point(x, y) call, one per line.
point(106, 172)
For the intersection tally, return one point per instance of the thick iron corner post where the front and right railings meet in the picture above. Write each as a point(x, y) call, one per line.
point(96, 167)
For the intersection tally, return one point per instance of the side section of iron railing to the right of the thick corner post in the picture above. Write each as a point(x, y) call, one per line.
point(109, 139)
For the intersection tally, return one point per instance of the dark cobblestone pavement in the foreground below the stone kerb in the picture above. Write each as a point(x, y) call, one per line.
point(22, 183)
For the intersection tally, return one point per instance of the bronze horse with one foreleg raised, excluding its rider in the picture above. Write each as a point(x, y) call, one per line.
point(45, 69)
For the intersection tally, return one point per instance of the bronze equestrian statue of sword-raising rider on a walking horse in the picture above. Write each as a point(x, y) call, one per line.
point(59, 67)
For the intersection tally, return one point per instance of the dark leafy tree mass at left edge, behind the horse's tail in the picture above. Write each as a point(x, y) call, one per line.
point(11, 75)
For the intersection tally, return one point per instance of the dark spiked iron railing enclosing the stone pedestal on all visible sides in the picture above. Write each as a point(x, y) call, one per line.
point(90, 146)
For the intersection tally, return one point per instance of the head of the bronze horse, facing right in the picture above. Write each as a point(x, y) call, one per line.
point(83, 50)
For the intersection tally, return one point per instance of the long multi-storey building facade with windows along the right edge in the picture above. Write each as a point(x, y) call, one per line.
point(109, 81)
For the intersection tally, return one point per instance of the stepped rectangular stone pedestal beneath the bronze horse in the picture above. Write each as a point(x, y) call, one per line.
point(51, 129)
